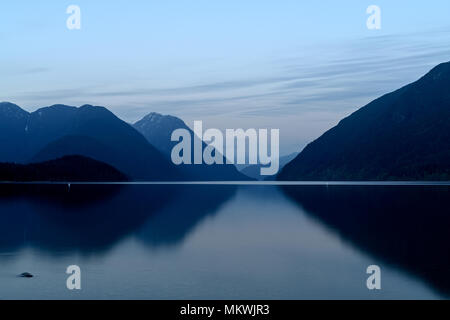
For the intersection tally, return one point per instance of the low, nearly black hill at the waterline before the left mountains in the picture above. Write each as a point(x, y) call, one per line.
point(67, 169)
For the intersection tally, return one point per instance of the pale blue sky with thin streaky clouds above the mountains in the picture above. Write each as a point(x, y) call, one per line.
point(298, 66)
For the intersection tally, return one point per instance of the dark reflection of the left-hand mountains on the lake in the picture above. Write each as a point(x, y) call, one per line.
point(94, 218)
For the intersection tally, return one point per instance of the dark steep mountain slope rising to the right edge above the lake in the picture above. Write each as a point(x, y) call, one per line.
point(404, 135)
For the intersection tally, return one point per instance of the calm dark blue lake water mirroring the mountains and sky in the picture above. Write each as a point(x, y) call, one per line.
point(225, 242)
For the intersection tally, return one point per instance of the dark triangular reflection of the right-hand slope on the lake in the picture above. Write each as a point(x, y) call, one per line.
point(405, 226)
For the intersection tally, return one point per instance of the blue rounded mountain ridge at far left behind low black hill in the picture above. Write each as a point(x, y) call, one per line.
point(60, 130)
